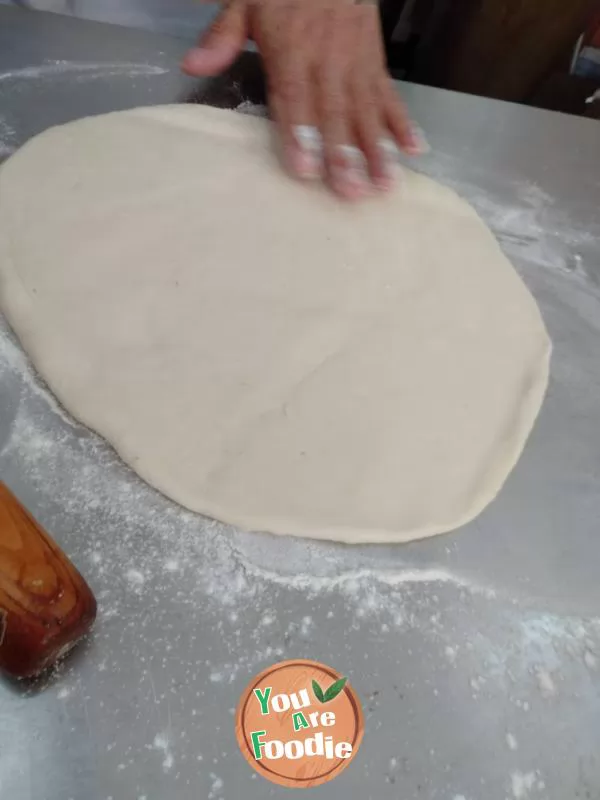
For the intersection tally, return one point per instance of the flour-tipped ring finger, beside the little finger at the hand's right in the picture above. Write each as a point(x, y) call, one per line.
point(370, 134)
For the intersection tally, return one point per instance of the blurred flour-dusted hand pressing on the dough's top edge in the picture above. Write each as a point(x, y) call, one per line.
point(337, 113)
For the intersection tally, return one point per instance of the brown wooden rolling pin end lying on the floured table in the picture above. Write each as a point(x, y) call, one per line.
point(45, 604)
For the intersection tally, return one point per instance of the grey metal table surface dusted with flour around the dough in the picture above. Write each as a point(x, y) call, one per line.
point(476, 654)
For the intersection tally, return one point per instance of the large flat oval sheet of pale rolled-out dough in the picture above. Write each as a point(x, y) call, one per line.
point(254, 348)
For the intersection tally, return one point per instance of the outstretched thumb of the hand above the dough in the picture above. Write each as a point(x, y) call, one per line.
point(221, 45)
